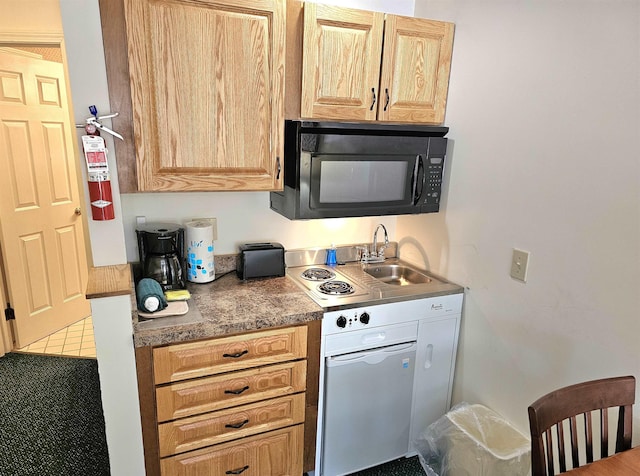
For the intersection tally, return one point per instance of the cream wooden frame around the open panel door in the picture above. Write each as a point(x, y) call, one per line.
point(57, 40)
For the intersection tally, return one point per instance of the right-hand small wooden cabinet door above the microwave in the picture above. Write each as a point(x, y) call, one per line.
point(415, 70)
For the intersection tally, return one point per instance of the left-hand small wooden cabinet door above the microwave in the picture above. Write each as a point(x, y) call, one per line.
point(341, 62)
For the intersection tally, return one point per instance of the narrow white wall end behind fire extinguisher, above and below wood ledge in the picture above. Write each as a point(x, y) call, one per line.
point(111, 316)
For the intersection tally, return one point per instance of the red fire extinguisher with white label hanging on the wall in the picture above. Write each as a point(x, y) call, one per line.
point(100, 197)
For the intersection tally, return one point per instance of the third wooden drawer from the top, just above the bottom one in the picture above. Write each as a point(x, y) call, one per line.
point(218, 427)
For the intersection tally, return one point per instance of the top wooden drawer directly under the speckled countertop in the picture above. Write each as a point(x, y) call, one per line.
point(214, 356)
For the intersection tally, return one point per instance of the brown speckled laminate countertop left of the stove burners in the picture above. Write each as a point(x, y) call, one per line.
point(229, 306)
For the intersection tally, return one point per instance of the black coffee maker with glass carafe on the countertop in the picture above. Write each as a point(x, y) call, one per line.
point(161, 248)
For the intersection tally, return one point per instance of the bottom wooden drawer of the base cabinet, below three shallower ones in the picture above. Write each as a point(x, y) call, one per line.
point(277, 453)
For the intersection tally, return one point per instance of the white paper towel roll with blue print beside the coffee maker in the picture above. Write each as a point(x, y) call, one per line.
point(199, 236)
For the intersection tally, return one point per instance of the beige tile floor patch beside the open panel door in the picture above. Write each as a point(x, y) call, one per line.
point(75, 340)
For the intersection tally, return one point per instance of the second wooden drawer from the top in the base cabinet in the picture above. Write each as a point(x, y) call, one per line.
point(223, 391)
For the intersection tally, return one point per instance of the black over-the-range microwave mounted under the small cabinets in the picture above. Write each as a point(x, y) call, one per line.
point(334, 170)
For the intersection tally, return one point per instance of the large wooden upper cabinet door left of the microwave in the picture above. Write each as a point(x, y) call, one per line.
point(207, 87)
